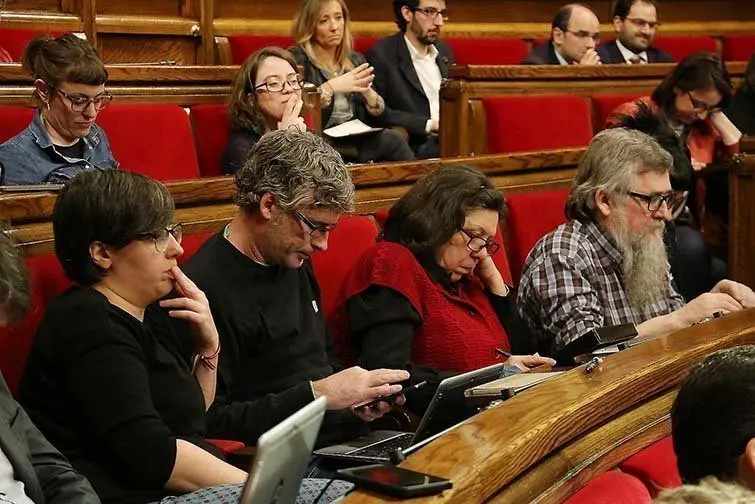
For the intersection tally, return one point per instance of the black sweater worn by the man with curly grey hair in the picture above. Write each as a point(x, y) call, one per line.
point(274, 341)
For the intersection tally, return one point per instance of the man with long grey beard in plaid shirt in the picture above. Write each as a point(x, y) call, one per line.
point(607, 264)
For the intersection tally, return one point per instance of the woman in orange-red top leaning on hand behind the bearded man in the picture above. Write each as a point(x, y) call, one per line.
point(692, 98)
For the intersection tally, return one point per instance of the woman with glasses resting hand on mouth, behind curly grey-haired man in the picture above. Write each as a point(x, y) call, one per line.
point(266, 96)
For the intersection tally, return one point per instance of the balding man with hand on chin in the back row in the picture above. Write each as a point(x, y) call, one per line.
point(575, 33)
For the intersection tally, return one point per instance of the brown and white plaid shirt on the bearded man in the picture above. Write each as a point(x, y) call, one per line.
point(572, 283)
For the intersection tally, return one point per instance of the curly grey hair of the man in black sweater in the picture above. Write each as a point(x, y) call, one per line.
point(299, 168)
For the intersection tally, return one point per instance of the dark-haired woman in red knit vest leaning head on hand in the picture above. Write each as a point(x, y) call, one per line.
point(428, 297)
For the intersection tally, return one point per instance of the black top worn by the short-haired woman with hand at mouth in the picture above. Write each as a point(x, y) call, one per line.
point(113, 394)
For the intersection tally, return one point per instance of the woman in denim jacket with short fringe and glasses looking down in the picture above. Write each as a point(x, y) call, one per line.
point(62, 139)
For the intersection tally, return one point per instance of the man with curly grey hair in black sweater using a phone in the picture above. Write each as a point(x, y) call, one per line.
point(265, 299)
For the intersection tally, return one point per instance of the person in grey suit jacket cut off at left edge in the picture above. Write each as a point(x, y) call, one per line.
point(31, 469)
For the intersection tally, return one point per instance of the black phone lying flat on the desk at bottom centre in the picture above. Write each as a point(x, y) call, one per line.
point(394, 481)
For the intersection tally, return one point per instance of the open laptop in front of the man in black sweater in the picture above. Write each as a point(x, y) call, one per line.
point(445, 410)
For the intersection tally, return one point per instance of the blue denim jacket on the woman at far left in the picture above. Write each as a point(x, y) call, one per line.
point(31, 158)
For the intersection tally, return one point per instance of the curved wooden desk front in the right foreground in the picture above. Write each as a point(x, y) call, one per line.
point(544, 444)
